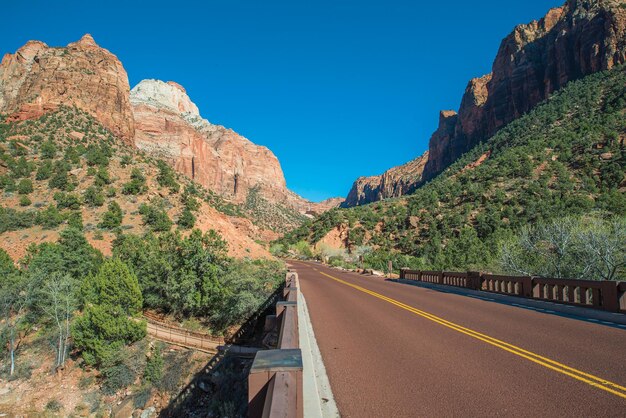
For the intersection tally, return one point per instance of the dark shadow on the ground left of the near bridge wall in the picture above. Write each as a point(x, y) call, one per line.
point(220, 389)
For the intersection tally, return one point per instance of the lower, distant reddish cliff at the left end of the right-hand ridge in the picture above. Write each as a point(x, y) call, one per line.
point(394, 182)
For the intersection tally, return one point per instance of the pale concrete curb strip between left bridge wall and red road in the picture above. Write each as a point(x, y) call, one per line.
point(318, 396)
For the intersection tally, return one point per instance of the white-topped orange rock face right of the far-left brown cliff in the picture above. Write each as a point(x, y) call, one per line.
point(169, 126)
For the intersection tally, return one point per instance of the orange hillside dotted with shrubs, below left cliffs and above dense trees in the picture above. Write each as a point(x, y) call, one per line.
point(66, 168)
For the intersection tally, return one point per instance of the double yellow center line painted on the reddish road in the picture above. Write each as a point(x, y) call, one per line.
point(579, 375)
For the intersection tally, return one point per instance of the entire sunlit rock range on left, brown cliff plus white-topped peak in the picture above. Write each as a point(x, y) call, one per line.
point(156, 117)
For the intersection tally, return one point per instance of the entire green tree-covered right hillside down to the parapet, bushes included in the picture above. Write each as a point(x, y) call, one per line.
point(561, 166)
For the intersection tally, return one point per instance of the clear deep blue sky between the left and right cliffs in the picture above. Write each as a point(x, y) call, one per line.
point(336, 88)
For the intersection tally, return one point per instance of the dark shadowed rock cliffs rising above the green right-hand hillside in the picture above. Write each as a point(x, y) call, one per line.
point(577, 39)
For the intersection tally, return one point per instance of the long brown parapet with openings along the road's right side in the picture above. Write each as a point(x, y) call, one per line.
point(606, 295)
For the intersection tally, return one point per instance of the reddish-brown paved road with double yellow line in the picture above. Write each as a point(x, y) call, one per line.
point(395, 350)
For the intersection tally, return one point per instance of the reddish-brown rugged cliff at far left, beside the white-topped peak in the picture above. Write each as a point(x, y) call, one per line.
point(37, 79)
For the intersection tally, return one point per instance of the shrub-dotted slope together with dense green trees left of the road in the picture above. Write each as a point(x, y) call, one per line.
point(74, 311)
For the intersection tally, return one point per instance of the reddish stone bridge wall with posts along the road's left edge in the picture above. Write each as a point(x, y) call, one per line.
point(275, 379)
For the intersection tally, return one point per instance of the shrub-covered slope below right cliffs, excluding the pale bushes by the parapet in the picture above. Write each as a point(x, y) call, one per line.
point(565, 157)
